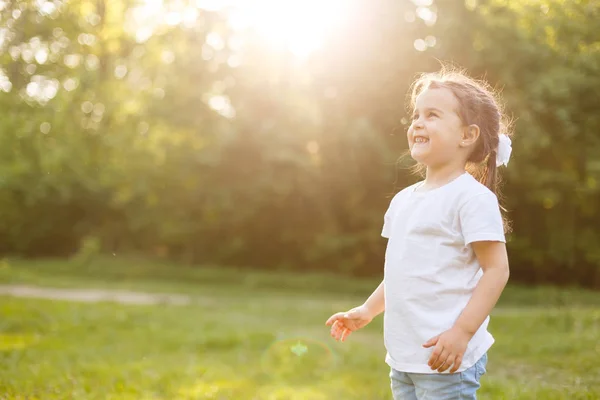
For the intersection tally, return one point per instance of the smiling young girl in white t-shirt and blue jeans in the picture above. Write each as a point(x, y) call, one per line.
point(446, 263)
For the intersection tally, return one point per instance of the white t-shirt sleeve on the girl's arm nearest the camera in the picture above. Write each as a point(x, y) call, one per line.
point(480, 219)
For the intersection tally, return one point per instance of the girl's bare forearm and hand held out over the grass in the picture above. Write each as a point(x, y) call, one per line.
point(344, 323)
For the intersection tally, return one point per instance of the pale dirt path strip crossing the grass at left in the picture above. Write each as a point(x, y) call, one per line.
point(93, 295)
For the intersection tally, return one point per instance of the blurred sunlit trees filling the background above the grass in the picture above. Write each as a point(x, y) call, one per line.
point(268, 134)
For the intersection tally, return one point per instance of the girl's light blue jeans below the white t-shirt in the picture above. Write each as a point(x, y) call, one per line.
point(457, 386)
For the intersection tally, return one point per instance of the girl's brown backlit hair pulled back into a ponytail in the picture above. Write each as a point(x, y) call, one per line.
point(477, 106)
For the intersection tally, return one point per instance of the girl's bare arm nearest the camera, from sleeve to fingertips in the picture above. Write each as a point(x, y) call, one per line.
point(451, 345)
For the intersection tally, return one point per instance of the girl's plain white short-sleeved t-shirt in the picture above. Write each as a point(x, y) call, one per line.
point(431, 269)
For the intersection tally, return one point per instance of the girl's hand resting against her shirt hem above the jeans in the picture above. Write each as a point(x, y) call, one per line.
point(450, 346)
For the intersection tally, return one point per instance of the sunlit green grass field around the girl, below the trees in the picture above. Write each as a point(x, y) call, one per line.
point(260, 336)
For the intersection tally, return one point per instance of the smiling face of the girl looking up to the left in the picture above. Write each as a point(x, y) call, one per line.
point(436, 132)
